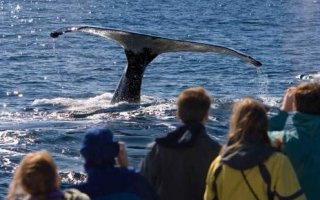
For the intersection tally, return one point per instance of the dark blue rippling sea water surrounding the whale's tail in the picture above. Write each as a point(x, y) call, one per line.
point(48, 86)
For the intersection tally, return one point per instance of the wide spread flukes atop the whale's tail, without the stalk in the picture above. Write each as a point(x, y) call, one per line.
point(137, 42)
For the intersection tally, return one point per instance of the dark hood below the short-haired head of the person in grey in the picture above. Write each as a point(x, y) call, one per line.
point(183, 137)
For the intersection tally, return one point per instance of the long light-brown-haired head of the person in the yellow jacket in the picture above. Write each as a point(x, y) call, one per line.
point(249, 123)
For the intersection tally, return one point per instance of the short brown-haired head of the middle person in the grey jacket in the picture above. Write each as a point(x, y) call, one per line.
point(193, 105)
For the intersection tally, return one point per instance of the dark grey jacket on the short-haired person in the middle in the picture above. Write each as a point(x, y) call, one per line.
point(178, 172)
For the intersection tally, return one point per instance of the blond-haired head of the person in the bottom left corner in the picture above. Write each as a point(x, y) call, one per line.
point(37, 175)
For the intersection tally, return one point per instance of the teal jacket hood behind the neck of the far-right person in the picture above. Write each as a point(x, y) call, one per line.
point(307, 124)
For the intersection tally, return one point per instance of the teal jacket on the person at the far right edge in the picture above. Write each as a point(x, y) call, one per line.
point(301, 144)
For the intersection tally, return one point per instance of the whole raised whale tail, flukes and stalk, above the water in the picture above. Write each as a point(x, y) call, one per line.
point(141, 49)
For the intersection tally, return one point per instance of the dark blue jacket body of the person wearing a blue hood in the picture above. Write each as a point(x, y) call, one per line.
point(116, 183)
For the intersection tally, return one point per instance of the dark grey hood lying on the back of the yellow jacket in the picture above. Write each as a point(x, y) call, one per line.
point(246, 156)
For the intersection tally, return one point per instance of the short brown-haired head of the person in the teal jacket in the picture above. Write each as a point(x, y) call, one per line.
point(307, 98)
